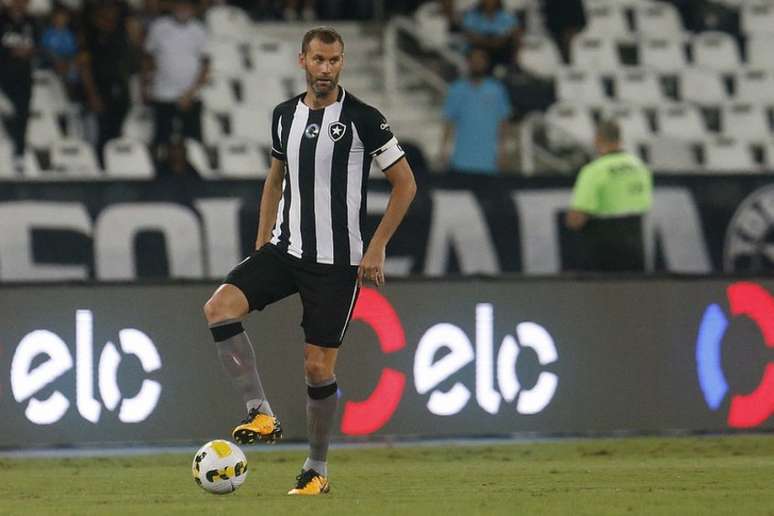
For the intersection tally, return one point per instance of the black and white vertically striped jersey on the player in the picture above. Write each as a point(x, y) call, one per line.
point(327, 155)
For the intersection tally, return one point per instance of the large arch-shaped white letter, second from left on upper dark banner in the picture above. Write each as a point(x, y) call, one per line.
point(118, 226)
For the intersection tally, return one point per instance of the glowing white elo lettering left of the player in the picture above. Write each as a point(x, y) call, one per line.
point(25, 383)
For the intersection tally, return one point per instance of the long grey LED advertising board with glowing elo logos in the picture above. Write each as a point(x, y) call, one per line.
point(135, 363)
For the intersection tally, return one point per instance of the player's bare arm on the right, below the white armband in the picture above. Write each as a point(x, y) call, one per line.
point(404, 188)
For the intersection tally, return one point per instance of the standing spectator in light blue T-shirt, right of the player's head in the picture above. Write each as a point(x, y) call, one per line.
point(477, 110)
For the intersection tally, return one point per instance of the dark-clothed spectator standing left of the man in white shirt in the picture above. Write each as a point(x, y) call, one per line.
point(106, 65)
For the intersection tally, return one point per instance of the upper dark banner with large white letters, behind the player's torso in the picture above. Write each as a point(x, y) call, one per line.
point(457, 225)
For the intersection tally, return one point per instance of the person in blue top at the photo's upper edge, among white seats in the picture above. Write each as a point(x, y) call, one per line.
point(490, 27)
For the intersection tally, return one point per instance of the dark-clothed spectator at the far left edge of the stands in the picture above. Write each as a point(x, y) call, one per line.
point(17, 49)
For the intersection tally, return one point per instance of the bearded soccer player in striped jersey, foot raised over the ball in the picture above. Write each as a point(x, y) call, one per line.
point(310, 242)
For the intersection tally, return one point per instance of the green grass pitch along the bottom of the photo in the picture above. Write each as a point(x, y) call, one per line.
point(725, 475)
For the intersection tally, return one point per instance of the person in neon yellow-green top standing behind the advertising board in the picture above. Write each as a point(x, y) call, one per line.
point(610, 197)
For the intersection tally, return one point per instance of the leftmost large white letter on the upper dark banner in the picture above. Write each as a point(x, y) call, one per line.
point(17, 222)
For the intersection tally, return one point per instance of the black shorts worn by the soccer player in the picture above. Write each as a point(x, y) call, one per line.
point(328, 292)
